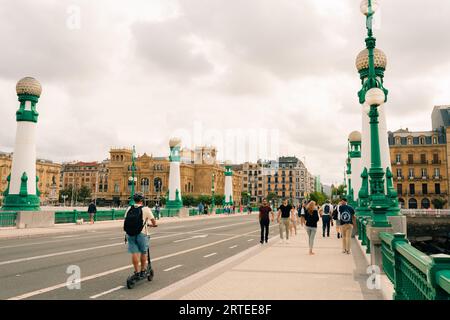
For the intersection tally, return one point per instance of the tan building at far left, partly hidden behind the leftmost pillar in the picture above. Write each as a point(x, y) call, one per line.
point(47, 172)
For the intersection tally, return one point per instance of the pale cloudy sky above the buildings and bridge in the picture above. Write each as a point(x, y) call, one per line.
point(257, 78)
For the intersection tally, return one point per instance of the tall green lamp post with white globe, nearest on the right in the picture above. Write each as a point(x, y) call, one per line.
point(374, 94)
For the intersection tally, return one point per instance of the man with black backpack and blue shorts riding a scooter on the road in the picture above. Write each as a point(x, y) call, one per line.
point(136, 224)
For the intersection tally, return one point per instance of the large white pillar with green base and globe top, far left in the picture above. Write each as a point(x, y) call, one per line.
point(22, 193)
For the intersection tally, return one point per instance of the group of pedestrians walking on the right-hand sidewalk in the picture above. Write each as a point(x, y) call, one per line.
point(308, 215)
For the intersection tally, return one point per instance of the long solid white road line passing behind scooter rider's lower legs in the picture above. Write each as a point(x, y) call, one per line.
point(98, 275)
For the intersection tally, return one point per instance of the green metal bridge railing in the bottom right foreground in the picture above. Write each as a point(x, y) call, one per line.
point(415, 275)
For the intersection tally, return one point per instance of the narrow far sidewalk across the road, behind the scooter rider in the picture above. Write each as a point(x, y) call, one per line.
point(64, 228)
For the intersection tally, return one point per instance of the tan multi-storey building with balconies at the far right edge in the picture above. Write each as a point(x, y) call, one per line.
point(420, 164)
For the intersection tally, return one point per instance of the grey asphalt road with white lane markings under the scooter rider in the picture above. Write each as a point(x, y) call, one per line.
point(36, 268)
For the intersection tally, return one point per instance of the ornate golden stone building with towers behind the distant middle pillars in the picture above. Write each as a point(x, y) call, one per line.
point(152, 175)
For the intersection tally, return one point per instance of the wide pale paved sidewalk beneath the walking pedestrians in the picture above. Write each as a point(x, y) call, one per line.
point(277, 271)
